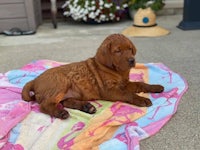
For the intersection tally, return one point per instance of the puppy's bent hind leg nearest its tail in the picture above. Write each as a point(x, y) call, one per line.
point(51, 107)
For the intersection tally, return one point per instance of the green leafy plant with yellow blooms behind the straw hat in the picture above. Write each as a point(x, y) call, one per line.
point(155, 5)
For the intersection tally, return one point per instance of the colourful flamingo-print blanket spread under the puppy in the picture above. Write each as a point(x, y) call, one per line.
point(117, 125)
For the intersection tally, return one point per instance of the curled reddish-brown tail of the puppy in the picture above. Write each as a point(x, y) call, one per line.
point(26, 92)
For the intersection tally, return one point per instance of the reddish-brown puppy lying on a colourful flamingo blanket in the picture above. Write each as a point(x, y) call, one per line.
point(104, 77)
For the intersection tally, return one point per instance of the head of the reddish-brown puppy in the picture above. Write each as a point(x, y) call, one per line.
point(116, 52)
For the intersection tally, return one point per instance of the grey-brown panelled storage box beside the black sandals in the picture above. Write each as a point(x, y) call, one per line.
point(23, 14)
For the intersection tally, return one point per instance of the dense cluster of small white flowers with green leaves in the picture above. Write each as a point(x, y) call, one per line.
point(95, 10)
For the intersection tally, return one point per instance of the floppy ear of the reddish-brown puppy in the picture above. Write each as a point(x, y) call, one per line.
point(103, 55)
